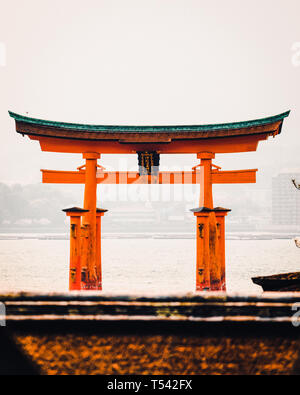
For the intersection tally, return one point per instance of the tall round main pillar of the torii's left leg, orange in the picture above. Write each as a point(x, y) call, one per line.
point(90, 201)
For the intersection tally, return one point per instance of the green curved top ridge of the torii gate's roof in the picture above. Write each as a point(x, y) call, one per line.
point(145, 129)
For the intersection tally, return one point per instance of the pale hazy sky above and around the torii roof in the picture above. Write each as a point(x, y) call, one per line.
point(148, 62)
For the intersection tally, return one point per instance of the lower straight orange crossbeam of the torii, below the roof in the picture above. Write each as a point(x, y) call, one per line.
point(165, 177)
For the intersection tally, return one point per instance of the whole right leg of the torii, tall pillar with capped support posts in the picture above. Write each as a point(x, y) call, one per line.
point(210, 261)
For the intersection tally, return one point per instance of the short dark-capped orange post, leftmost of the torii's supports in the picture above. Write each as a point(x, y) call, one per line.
point(75, 215)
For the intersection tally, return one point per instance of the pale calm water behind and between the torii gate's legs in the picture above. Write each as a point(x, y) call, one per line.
point(141, 265)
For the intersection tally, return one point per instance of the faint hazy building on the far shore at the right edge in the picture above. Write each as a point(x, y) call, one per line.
point(285, 199)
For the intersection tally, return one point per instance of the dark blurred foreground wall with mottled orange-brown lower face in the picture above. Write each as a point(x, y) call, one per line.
point(203, 334)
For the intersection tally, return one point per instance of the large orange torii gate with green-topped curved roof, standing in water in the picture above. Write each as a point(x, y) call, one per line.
point(148, 142)
